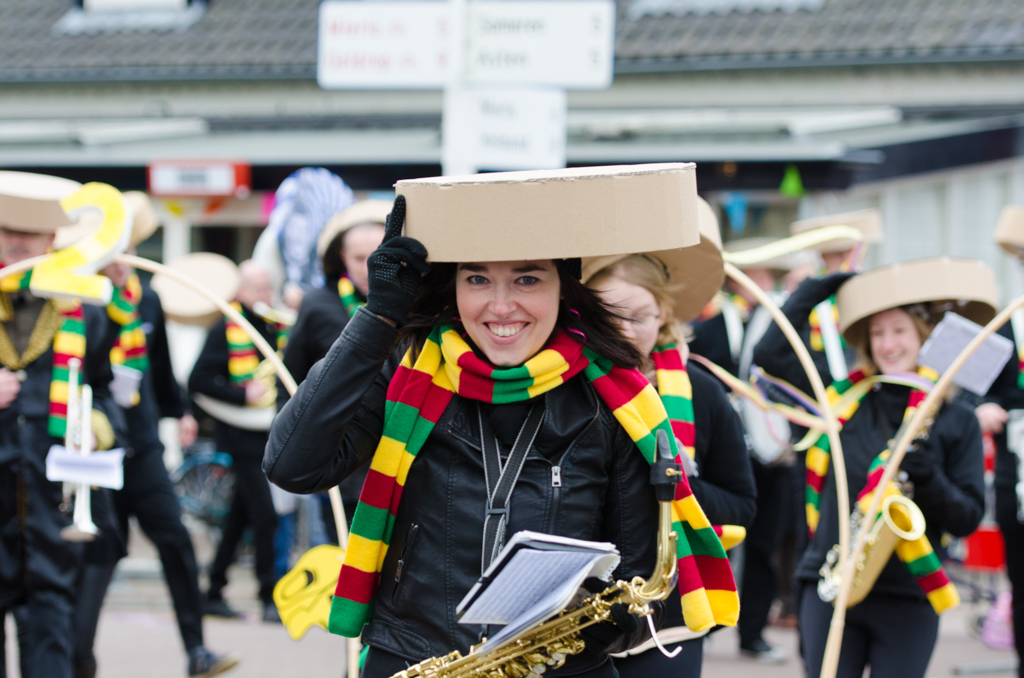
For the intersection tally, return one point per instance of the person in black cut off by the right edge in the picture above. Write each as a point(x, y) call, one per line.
point(1006, 403)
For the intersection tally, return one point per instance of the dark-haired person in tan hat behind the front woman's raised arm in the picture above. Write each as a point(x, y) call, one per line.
point(346, 244)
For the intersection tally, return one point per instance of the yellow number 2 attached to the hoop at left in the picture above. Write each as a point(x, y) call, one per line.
point(71, 273)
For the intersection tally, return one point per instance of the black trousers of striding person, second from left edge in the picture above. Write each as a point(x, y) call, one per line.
point(149, 495)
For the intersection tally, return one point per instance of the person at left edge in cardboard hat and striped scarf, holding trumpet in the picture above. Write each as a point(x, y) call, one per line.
point(39, 570)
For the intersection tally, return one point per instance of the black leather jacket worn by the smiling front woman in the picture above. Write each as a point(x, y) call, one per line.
point(333, 426)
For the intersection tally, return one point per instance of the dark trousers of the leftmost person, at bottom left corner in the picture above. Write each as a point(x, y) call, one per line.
point(46, 637)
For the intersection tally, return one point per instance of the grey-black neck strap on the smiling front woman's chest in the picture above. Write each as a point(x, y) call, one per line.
point(501, 481)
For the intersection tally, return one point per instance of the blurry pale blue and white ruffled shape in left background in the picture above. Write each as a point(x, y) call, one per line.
point(287, 248)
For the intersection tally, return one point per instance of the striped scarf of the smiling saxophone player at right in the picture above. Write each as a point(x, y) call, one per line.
point(919, 557)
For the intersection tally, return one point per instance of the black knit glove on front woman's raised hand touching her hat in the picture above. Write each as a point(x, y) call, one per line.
point(395, 269)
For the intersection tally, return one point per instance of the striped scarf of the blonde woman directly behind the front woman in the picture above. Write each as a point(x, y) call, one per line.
point(677, 397)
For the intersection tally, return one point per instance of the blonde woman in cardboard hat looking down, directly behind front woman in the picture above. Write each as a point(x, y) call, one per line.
point(656, 293)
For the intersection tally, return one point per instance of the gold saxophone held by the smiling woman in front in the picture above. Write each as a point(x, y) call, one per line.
point(547, 646)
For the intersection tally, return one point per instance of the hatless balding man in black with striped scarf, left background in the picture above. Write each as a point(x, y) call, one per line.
point(226, 371)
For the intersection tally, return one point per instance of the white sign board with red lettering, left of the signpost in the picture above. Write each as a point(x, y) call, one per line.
point(382, 46)
